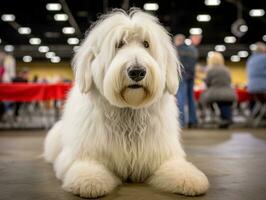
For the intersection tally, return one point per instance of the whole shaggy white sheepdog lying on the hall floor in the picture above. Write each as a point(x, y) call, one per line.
point(120, 119)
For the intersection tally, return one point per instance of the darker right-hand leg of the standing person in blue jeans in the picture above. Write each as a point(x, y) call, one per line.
point(192, 119)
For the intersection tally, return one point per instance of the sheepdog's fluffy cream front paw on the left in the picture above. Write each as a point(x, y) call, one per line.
point(89, 180)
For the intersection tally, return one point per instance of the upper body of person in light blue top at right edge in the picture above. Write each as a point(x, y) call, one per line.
point(256, 70)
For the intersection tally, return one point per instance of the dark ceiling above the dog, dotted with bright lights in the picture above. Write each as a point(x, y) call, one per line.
point(178, 16)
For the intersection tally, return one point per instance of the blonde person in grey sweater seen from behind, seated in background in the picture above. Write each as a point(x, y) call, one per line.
point(219, 90)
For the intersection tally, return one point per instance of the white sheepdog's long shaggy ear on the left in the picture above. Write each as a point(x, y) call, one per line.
point(82, 67)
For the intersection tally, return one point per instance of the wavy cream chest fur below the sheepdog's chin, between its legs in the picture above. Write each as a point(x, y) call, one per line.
point(127, 129)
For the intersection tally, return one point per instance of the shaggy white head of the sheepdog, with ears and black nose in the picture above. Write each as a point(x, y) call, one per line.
point(129, 58)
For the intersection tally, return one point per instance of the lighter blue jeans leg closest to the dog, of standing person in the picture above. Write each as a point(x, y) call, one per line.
point(181, 101)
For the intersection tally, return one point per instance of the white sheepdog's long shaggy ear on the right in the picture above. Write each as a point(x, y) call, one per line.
point(173, 69)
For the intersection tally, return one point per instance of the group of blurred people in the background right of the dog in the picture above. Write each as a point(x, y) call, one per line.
point(218, 82)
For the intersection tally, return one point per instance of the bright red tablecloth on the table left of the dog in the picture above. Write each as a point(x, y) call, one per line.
point(27, 92)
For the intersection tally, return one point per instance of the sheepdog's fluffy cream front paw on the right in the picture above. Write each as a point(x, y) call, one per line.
point(180, 177)
